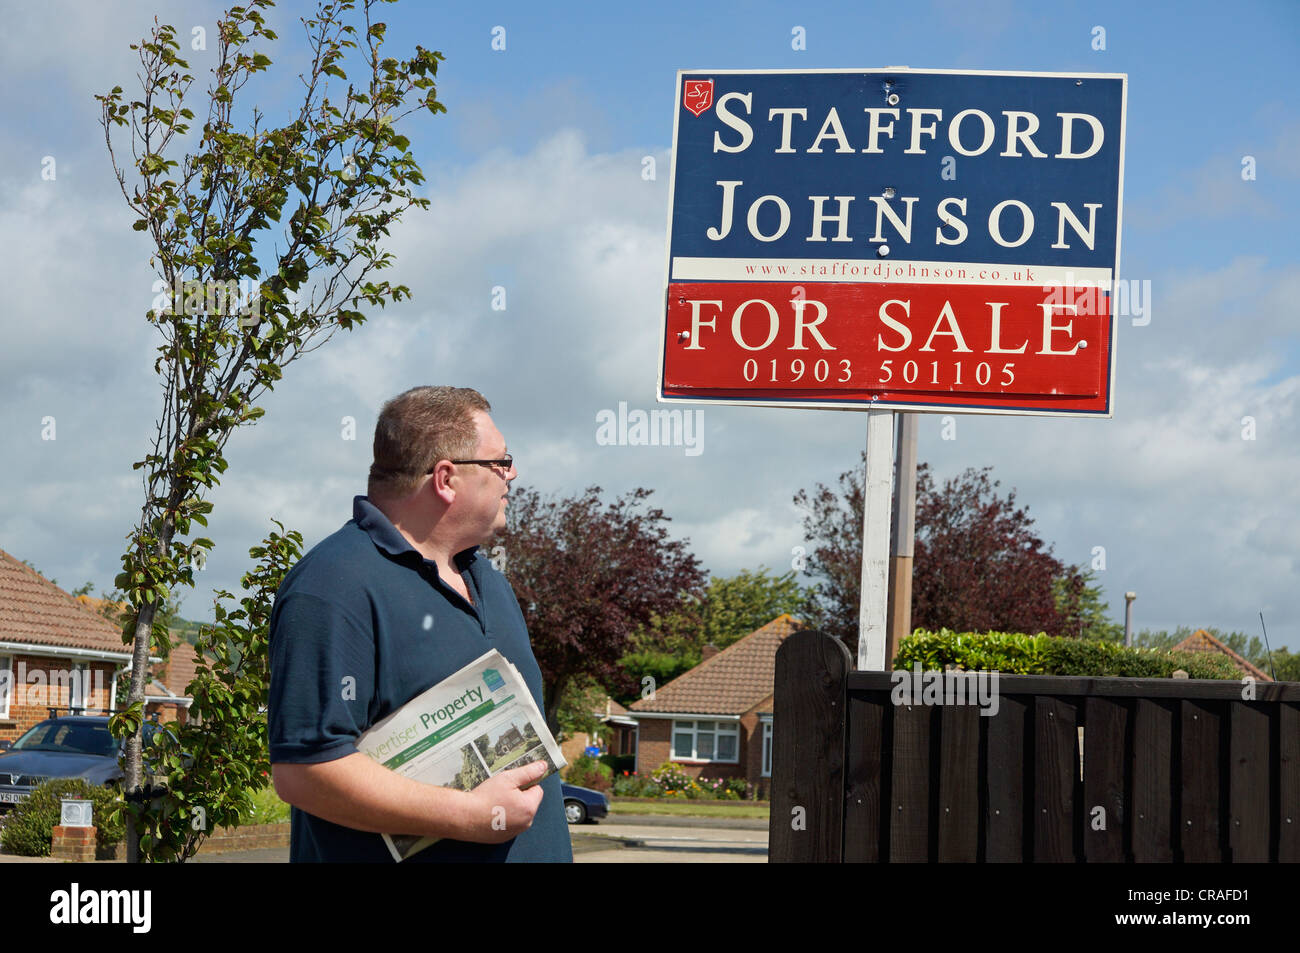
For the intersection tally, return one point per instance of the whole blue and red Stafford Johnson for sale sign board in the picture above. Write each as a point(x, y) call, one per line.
point(918, 240)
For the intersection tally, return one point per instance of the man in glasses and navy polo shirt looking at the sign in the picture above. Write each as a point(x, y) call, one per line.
point(374, 616)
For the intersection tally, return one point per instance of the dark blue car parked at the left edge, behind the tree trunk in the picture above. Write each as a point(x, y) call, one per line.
point(62, 747)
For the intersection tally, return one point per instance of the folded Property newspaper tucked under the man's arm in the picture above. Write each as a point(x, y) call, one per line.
point(461, 733)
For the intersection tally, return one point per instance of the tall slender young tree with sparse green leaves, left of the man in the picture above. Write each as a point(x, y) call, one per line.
point(237, 306)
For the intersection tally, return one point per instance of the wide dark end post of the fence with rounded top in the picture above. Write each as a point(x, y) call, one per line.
point(807, 822)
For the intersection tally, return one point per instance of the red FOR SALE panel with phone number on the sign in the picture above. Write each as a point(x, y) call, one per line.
point(978, 346)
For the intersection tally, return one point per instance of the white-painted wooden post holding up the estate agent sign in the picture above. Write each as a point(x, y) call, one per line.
point(877, 503)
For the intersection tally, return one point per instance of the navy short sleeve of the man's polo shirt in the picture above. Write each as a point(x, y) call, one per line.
point(322, 681)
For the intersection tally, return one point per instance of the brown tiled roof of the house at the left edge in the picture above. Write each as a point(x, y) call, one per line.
point(36, 612)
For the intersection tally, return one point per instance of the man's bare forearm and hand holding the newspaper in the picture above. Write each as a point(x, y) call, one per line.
point(357, 792)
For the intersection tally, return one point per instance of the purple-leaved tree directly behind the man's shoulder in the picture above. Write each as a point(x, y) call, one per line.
point(590, 575)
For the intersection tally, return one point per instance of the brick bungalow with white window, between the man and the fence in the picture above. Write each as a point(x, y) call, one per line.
point(717, 720)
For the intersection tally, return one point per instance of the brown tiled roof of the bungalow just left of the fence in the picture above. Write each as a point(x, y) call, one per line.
point(733, 682)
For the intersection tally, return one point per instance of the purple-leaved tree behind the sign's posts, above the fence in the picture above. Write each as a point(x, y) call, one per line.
point(978, 565)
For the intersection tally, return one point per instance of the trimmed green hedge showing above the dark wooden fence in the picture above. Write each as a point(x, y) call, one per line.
point(1042, 655)
